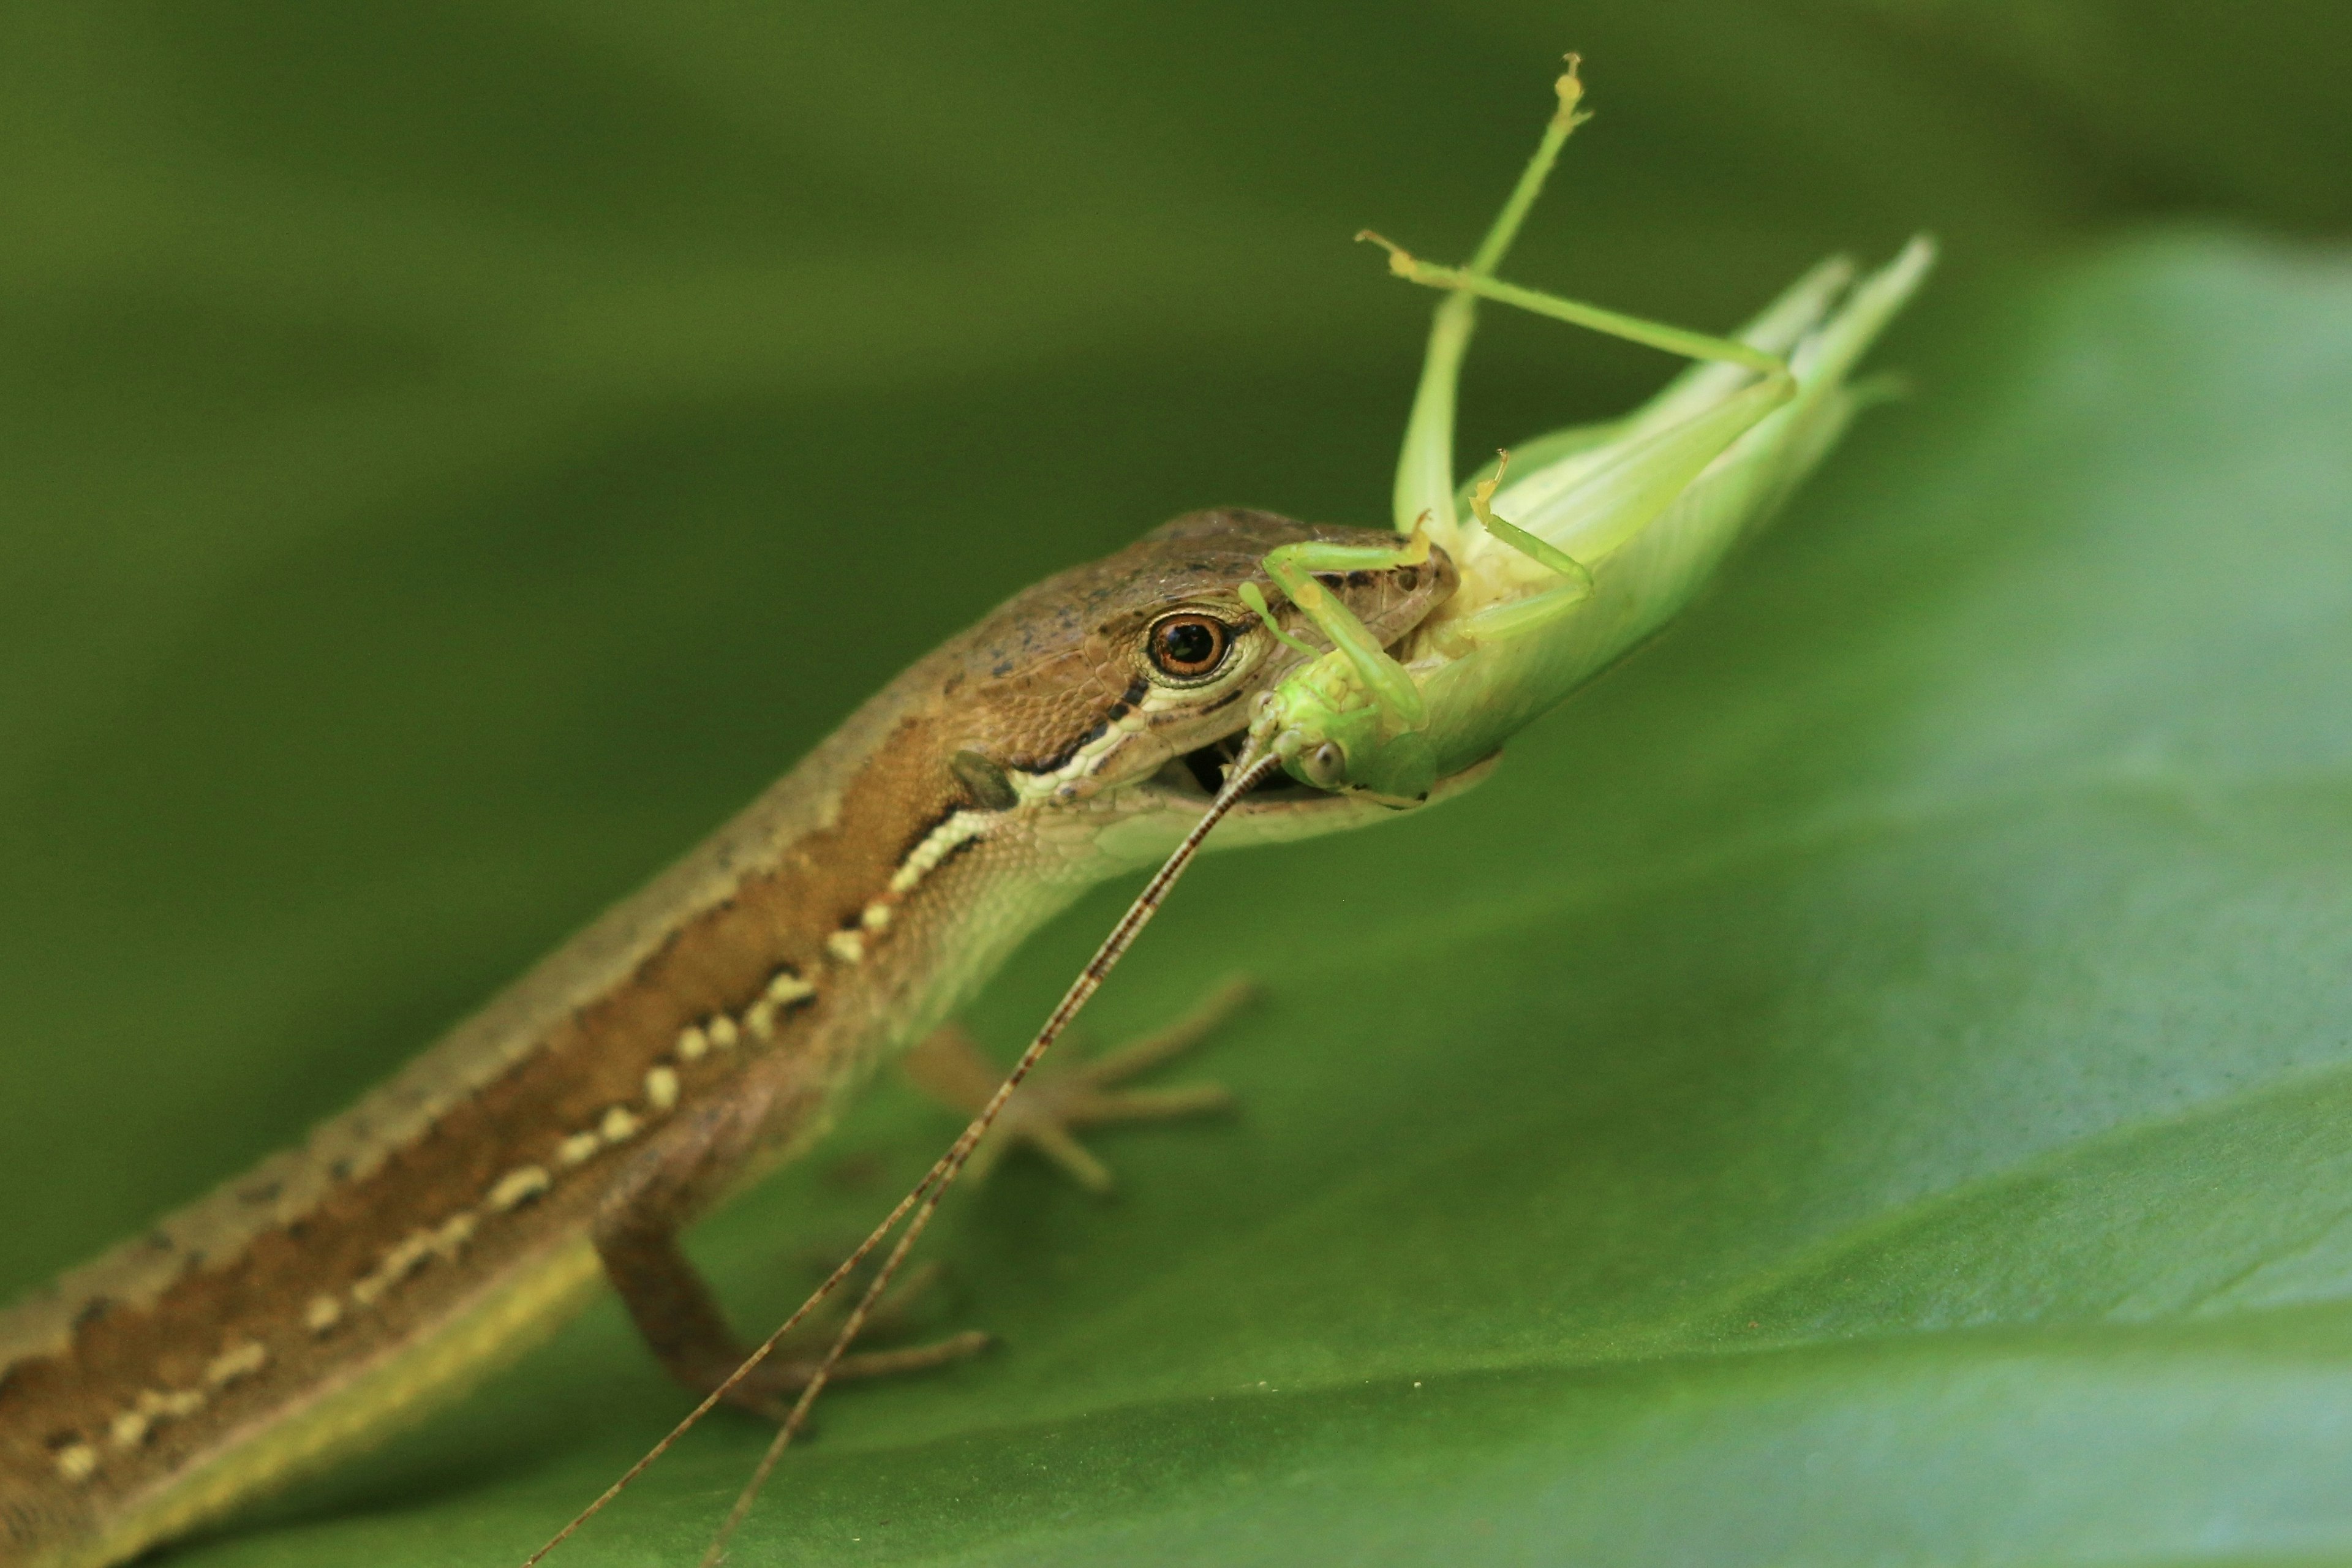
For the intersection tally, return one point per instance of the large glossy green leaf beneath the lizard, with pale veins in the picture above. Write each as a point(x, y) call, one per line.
point(1869, 1083)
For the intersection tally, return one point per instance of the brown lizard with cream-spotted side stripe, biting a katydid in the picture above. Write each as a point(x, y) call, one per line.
point(679, 1047)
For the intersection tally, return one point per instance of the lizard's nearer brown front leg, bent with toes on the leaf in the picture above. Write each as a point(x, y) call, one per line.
point(667, 1296)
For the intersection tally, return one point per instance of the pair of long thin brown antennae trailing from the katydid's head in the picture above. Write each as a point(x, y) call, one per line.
point(1245, 777)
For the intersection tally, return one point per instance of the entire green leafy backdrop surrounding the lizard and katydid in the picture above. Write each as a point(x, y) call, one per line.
point(1869, 1083)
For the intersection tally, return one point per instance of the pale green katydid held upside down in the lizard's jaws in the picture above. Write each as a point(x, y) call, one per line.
point(1648, 507)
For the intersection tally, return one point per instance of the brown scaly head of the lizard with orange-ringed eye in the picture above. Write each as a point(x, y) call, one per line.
point(1149, 662)
